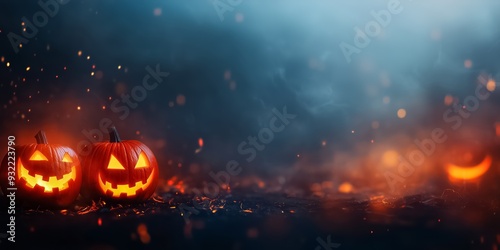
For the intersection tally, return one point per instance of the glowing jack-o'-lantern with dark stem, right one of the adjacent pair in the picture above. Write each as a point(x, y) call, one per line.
point(119, 170)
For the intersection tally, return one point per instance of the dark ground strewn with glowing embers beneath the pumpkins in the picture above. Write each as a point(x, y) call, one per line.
point(268, 221)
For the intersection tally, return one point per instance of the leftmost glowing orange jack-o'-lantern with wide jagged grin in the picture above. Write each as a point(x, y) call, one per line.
point(46, 174)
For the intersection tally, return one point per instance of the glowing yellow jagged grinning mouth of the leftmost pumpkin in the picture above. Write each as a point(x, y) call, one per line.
point(50, 185)
